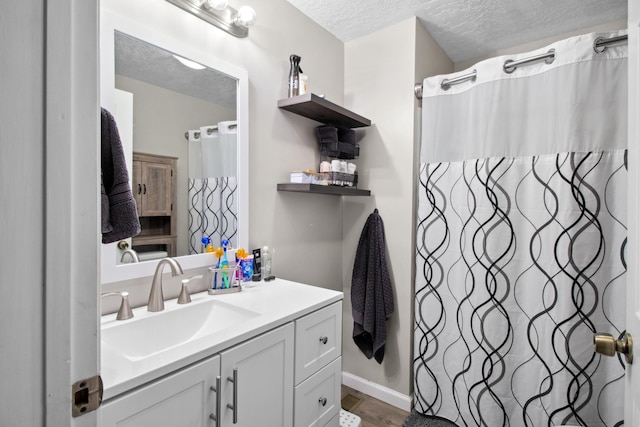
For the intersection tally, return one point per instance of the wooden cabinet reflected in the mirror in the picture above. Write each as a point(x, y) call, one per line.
point(154, 187)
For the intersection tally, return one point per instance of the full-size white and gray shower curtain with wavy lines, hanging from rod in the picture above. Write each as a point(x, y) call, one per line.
point(521, 242)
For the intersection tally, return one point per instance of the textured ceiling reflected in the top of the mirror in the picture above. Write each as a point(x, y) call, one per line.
point(145, 62)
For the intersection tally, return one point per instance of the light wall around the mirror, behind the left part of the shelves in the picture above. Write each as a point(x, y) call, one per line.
point(305, 230)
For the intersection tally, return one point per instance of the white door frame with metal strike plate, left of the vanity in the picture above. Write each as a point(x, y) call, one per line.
point(72, 189)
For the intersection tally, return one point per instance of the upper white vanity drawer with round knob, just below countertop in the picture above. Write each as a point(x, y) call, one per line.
point(318, 340)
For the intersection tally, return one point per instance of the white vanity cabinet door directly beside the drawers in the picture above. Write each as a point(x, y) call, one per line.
point(262, 394)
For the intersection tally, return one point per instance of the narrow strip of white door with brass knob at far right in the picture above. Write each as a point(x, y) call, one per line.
point(632, 387)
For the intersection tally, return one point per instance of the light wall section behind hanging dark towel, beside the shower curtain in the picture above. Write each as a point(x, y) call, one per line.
point(380, 72)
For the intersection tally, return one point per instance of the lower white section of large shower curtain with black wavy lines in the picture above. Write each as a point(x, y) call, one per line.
point(470, 363)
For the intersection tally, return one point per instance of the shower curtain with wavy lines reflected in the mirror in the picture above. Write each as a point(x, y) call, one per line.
point(213, 185)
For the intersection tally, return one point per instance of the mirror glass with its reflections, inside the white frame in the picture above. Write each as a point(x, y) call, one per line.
point(184, 149)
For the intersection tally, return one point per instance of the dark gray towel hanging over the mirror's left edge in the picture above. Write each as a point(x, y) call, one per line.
point(119, 211)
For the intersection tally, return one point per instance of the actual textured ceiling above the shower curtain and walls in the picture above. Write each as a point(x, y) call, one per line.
point(465, 29)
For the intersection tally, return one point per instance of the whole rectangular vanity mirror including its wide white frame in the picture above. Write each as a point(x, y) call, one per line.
point(184, 131)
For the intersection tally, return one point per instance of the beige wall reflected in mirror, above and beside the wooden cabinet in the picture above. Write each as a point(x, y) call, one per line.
point(160, 119)
